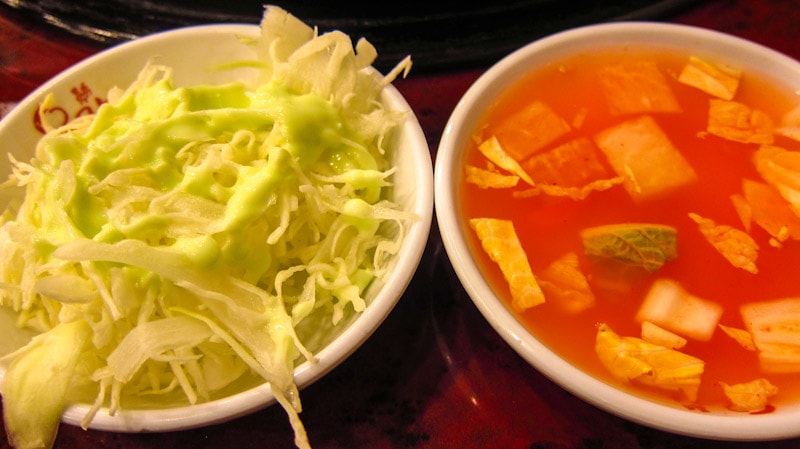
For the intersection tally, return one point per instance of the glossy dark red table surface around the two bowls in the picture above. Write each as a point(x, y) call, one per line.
point(434, 375)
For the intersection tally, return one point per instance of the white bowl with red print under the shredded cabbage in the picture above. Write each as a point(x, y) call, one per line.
point(188, 51)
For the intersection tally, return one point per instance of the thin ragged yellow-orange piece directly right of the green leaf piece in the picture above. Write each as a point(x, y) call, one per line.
point(735, 245)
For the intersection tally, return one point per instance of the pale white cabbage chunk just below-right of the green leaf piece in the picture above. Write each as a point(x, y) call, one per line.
point(670, 306)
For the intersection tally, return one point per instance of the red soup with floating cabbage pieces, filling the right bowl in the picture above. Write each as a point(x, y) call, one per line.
point(640, 211)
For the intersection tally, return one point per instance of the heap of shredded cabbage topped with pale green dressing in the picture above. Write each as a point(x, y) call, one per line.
point(183, 238)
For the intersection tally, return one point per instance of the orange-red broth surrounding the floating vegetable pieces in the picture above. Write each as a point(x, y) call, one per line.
point(549, 225)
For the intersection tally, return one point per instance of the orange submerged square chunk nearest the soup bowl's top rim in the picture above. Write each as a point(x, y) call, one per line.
point(637, 87)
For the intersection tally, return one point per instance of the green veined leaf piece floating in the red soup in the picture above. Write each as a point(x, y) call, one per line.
point(649, 246)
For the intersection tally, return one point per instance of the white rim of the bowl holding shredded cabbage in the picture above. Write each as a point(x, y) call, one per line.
point(334, 353)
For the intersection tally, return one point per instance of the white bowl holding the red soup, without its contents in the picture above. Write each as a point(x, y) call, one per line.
point(721, 425)
